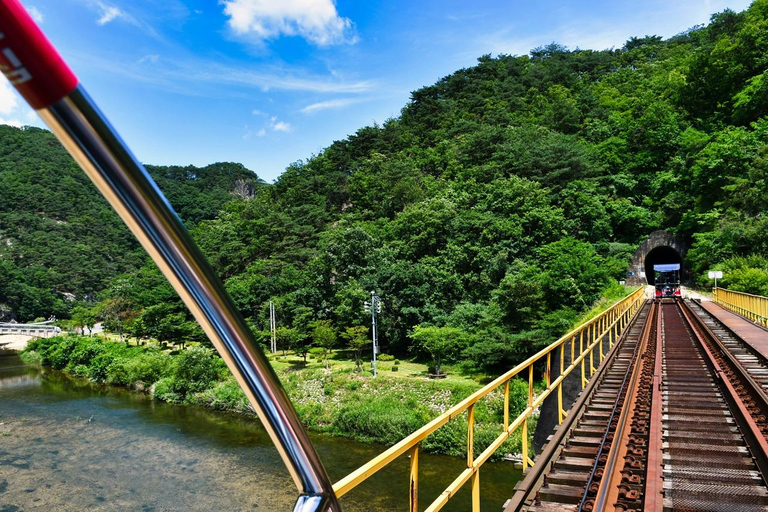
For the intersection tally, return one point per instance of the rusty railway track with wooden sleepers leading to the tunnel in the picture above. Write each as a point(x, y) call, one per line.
point(676, 420)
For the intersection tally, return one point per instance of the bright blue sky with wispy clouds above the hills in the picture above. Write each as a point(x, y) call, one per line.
point(270, 82)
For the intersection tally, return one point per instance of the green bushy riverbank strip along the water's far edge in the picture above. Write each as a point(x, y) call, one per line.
point(340, 402)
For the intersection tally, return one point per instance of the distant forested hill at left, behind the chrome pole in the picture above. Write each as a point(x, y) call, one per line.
point(60, 240)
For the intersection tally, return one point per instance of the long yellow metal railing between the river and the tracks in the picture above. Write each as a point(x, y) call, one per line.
point(587, 337)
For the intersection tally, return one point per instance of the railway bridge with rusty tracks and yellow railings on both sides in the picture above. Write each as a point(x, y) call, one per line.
point(671, 414)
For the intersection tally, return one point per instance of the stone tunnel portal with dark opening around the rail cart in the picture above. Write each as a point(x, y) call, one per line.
point(659, 247)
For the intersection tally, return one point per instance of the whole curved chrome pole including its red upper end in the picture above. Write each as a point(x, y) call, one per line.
point(34, 67)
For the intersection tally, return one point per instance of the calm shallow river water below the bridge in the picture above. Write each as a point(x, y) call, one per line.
point(69, 445)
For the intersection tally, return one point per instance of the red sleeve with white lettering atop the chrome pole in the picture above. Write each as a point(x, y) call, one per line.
point(29, 61)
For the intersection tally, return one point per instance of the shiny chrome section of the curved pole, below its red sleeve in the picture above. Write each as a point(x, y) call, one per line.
point(127, 186)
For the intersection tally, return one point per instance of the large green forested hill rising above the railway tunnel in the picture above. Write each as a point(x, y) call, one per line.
point(507, 197)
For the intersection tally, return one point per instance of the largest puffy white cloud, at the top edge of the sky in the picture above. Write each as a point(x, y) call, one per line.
point(317, 21)
